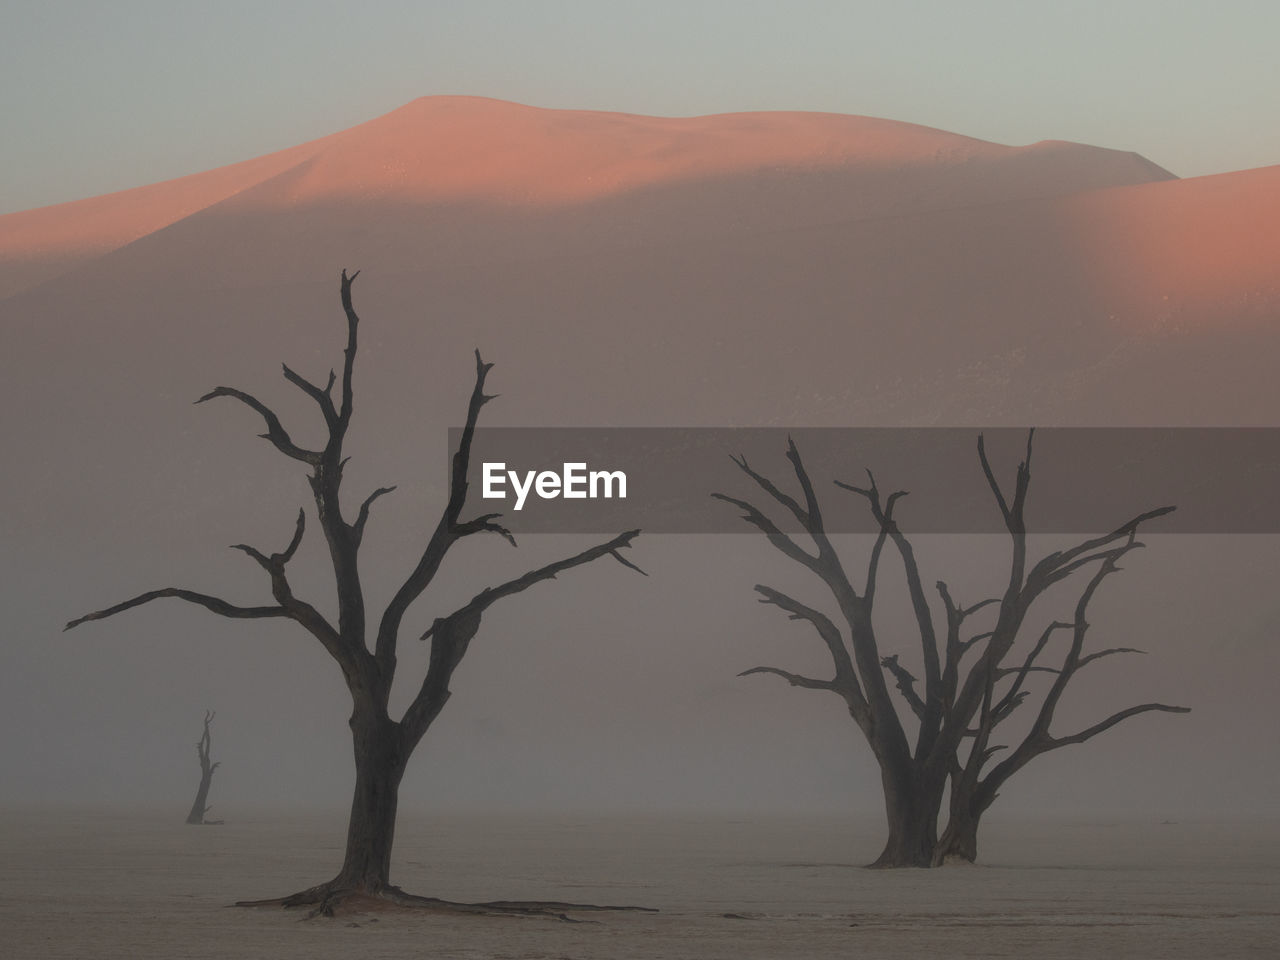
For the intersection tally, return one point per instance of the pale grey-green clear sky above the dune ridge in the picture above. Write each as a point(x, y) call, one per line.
point(98, 97)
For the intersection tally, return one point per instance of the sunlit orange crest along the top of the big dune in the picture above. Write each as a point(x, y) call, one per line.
point(447, 152)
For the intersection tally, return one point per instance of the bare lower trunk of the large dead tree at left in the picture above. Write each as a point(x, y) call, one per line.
point(381, 764)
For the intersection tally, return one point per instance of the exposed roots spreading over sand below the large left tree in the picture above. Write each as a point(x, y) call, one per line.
point(333, 900)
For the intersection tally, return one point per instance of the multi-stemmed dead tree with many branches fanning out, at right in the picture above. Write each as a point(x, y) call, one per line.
point(968, 687)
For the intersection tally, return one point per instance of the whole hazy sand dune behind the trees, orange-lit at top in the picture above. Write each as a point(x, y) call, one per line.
point(766, 269)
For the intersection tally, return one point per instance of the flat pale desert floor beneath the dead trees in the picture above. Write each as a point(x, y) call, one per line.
point(140, 886)
